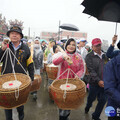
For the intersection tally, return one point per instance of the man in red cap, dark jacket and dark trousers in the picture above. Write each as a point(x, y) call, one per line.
point(95, 61)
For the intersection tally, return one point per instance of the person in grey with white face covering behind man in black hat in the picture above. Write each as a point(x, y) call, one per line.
point(38, 62)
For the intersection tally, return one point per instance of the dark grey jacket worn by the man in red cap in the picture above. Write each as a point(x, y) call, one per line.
point(95, 67)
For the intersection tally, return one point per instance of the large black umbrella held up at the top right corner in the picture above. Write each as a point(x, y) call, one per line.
point(106, 10)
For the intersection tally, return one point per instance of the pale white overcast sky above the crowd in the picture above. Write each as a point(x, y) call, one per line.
point(44, 15)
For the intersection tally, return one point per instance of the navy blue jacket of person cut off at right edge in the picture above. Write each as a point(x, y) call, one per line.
point(111, 79)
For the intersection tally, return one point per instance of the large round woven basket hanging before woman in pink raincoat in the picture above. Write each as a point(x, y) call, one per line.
point(73, 99)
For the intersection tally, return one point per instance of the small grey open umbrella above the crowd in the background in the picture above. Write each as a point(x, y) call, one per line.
point(70, 27)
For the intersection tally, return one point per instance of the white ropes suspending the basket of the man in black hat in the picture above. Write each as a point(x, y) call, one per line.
point(8, 51)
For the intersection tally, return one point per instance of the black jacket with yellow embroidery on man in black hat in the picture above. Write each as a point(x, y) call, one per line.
point(24, 57)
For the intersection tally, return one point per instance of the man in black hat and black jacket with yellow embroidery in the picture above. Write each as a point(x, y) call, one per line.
point(22, 53)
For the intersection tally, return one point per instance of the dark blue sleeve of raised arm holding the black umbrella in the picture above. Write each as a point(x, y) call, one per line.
point(111, 53)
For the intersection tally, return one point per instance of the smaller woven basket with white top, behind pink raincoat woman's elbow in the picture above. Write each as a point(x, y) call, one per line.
point(52, 71)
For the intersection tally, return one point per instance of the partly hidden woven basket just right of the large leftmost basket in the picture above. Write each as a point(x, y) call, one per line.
point(36, 83)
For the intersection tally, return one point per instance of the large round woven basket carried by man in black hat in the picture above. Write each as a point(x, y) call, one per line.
point(12, 98)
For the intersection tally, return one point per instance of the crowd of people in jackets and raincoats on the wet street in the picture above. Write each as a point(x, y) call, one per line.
point(102, 68)
